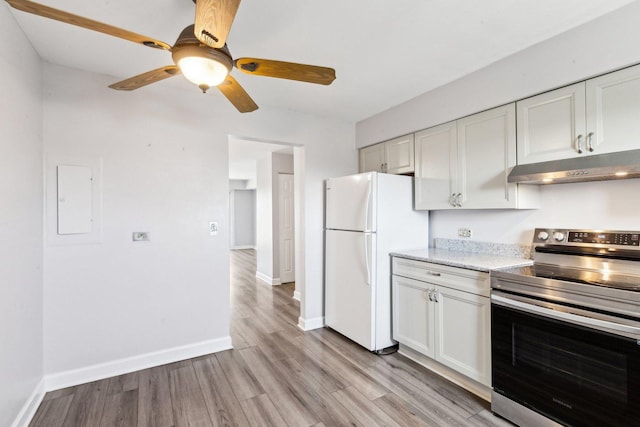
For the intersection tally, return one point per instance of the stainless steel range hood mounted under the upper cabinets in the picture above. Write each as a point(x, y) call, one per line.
point(621, 165)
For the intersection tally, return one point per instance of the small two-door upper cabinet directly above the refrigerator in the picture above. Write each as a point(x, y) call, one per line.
point(395, 156)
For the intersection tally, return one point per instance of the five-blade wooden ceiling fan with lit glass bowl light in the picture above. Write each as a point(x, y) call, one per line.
point(200, 53)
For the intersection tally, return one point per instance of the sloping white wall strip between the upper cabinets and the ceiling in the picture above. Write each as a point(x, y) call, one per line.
point(594, 48)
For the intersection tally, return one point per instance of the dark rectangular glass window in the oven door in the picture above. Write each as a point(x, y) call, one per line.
point(587, 366)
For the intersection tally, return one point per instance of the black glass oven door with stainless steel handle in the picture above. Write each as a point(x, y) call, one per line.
point(570, 365)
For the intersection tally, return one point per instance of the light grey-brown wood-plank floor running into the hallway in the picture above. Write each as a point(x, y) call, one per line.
point(276, 375)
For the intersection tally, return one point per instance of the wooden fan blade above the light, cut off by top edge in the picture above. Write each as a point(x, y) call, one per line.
point(213, 20)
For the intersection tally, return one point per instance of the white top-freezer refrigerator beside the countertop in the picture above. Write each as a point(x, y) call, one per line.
point(367, 216)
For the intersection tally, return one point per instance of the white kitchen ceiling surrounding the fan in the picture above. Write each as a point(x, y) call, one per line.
point(384, 52)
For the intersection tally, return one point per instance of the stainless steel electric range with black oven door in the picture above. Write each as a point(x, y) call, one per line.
point(566, 331)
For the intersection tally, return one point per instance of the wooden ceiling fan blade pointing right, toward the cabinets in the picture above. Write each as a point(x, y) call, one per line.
point(286, 70)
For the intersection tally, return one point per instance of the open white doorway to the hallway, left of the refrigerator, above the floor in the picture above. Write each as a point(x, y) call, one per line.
point(270, 169)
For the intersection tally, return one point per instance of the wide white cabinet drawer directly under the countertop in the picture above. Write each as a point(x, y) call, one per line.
point(472, 281)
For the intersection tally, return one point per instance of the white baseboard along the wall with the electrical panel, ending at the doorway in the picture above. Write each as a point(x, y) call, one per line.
point(130, 364)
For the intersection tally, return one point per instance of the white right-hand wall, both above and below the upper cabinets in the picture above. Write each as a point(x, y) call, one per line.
point(594, 48)
